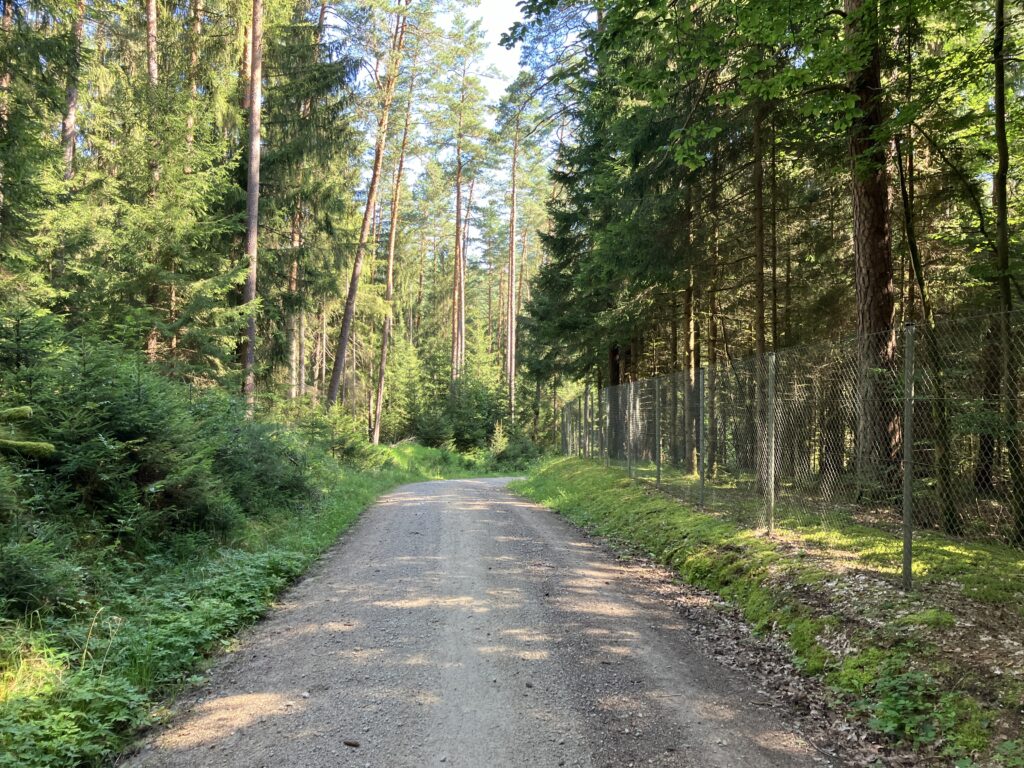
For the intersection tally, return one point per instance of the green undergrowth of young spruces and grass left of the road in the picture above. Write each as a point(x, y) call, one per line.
point(156, 522)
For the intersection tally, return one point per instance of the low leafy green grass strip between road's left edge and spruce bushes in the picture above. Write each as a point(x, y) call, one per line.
point(75, 687)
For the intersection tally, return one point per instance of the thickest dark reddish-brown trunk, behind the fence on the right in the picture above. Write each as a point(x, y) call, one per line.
point(878, 430)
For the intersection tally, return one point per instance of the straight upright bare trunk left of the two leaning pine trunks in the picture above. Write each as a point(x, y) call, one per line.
point(252, 202)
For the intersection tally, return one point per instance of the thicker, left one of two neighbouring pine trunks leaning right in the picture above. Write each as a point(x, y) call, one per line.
point(388, 95)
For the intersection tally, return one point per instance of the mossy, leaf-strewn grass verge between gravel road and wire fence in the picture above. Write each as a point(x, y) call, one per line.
point(908, 665)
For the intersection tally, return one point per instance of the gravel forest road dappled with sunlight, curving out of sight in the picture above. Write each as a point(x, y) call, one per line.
point(459, 626)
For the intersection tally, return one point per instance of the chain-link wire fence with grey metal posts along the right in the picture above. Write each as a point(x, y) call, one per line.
point(919, 430)
